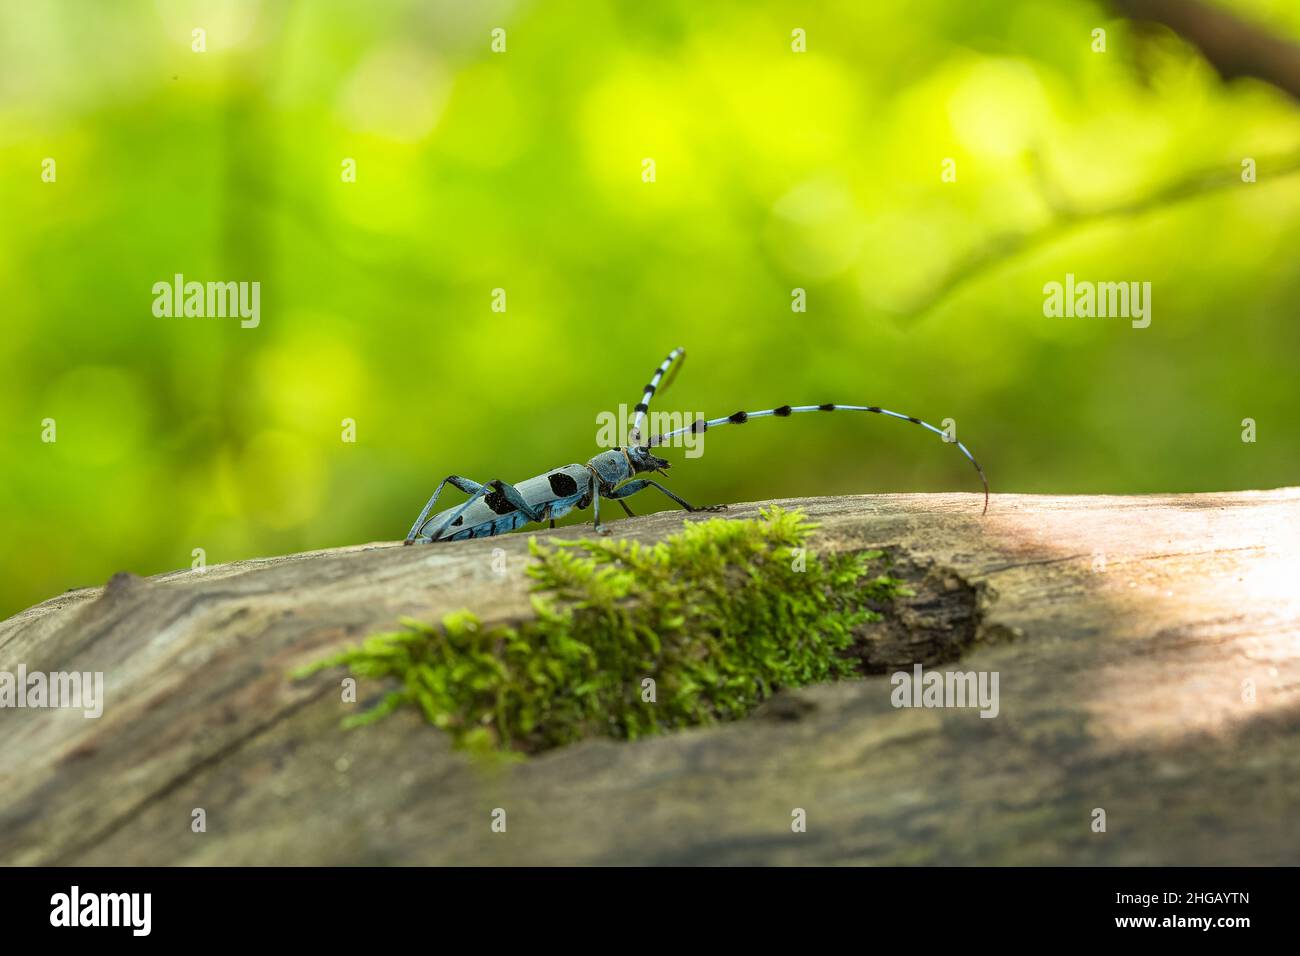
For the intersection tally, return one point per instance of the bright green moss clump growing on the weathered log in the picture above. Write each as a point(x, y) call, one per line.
point(718, 617)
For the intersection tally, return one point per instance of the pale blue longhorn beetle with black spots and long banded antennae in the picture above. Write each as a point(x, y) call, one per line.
point(496, 508)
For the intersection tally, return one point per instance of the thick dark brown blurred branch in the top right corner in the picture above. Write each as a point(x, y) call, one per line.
point(1233, 46)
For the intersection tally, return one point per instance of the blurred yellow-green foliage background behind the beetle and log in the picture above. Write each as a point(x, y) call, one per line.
point(523, 171)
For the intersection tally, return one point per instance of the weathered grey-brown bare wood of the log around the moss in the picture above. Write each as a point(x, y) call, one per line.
point(1123, 629)
